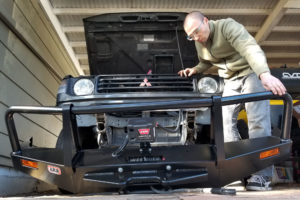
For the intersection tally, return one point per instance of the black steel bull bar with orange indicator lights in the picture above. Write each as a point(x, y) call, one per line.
point(202, 165)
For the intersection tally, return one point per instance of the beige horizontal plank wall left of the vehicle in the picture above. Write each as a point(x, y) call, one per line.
point(32, 64)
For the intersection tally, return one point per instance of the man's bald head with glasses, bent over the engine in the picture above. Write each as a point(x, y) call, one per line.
point(196, 27)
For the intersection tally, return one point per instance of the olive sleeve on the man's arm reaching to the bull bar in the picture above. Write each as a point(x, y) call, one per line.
point(240, 39)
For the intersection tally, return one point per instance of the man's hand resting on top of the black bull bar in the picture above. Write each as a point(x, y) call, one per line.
point(272, 83)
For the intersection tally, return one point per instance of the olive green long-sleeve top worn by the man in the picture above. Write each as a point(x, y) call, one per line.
point(232, 49)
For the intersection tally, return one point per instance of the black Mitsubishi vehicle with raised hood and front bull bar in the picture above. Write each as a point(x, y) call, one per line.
point(134, 122)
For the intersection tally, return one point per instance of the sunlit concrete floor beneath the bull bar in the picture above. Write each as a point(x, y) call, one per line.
point(279, 192)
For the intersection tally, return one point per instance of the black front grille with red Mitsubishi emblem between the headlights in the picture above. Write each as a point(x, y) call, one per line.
point(144, 83)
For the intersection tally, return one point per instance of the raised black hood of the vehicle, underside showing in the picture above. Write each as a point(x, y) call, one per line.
point(135, 43)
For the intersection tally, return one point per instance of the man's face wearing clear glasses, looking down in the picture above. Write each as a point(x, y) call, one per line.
point(197, 30)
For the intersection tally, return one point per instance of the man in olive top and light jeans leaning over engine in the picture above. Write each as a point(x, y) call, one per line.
point(241, 62)
